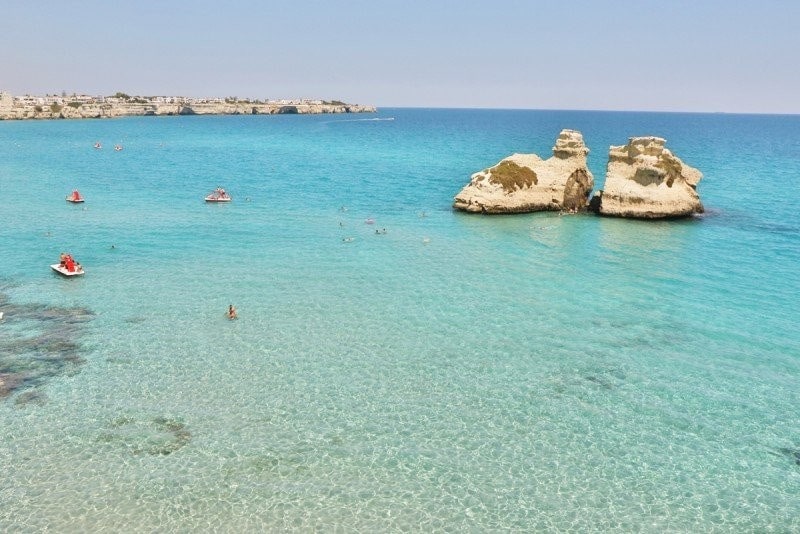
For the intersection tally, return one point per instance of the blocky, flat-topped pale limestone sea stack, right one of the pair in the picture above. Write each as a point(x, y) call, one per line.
point(644, 180)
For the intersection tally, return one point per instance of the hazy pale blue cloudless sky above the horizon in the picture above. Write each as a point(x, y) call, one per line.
point(738, 56)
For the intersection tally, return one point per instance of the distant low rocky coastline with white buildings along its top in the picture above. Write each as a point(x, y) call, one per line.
point(123, 105)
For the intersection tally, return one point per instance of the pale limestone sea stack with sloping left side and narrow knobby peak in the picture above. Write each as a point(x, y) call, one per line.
point(524, 183)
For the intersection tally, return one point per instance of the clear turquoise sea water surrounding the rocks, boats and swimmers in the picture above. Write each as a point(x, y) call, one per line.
point(457, 373)
